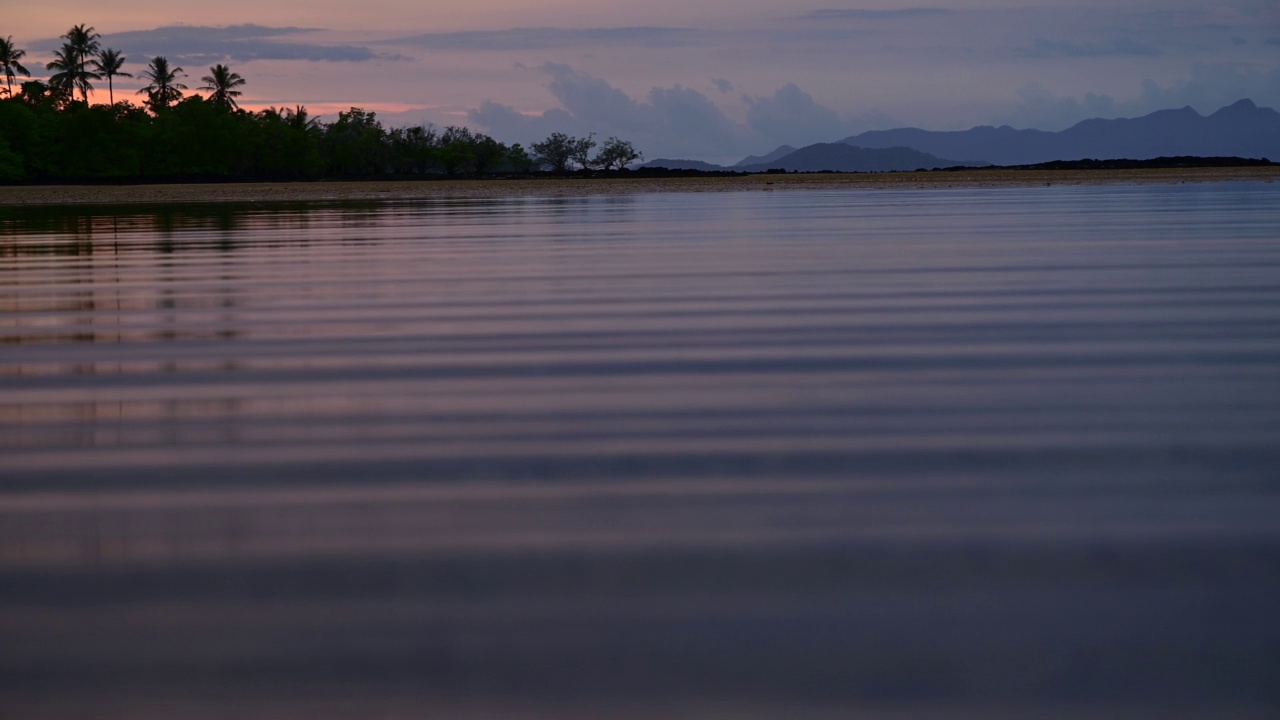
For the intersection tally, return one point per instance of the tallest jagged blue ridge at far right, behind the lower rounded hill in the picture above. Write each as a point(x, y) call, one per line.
point(1241, 130)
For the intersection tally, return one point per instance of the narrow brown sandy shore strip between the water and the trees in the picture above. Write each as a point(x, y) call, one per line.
point(572, 188)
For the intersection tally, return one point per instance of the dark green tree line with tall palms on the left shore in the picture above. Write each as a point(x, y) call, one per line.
point(51, 131)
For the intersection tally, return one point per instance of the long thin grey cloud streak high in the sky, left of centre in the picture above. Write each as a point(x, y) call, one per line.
point(548, 38)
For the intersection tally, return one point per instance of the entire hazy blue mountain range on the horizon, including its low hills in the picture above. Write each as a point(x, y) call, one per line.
point(1241, 130)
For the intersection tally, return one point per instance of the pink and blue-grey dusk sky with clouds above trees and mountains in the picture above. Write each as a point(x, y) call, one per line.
point(711, 80)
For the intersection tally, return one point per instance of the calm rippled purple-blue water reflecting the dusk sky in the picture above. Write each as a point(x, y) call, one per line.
point(755, 455)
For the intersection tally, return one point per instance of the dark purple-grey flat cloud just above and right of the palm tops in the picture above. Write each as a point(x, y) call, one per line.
point(245, 43)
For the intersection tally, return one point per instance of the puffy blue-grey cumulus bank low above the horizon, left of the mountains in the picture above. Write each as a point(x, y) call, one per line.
point(673, 122)
